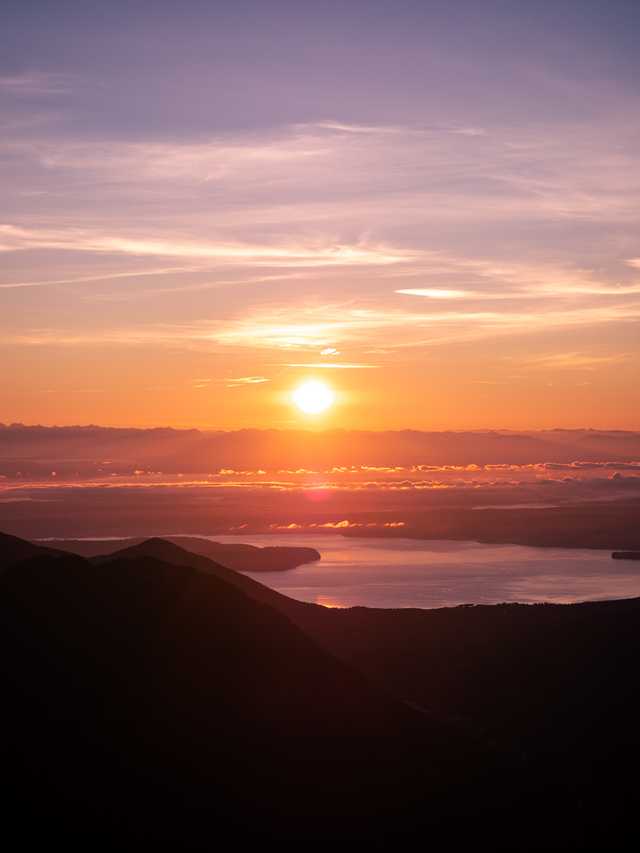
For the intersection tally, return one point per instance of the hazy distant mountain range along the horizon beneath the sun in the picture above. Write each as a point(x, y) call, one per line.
point(37, 450)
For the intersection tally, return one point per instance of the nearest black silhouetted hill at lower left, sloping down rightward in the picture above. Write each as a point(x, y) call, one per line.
point(146, 703)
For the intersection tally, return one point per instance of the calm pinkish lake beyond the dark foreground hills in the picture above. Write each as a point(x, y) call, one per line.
point(376, 572)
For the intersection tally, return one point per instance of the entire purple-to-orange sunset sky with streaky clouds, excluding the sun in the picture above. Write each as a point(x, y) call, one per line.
point(432, 207)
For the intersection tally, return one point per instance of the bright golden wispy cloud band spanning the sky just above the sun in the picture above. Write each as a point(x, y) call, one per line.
point(300, 327)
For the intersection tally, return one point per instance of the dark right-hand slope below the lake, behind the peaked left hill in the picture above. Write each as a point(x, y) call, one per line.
point(556, 685)
